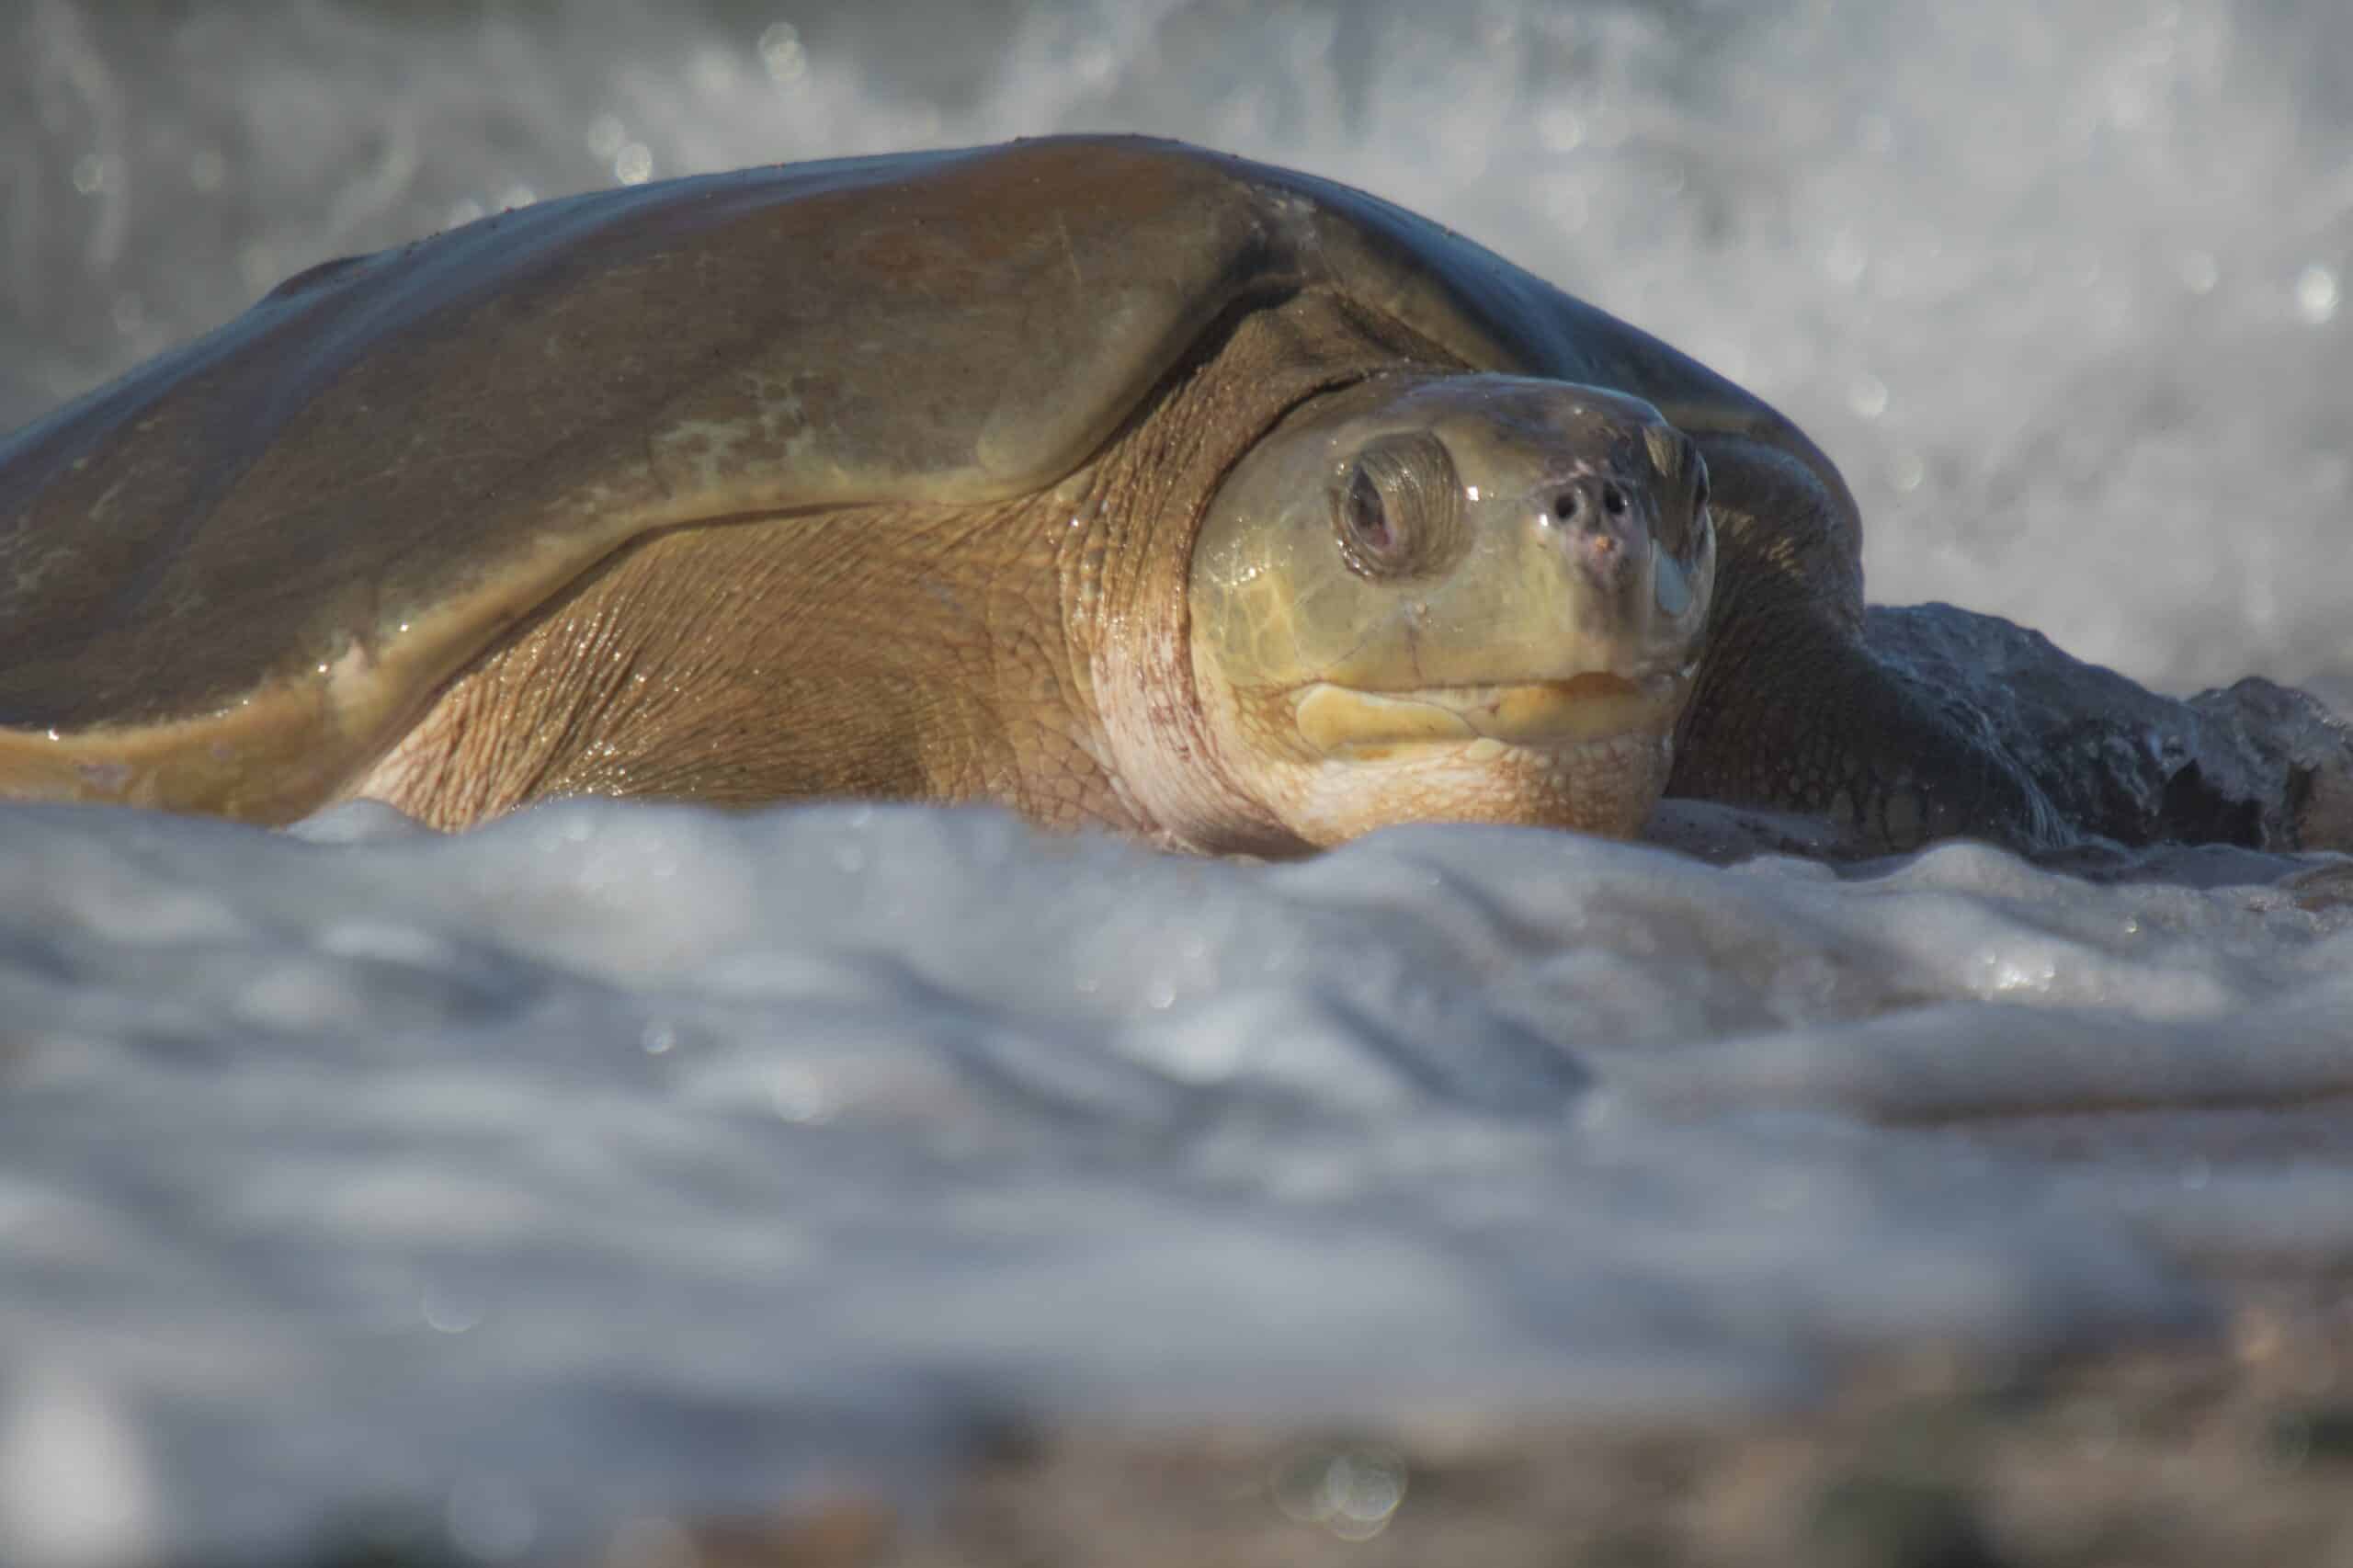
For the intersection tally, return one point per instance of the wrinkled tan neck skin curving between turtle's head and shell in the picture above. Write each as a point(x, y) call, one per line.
point(1128, 602)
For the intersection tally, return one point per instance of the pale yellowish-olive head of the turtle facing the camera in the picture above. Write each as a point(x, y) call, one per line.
point(1453, 597)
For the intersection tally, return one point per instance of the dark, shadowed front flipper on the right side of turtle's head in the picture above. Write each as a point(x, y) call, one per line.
point(1794, 710)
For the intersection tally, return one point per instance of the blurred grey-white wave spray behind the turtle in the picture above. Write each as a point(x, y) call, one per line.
point(2060, 284)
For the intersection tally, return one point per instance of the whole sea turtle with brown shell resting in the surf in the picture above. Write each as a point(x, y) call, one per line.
point(1109, 479)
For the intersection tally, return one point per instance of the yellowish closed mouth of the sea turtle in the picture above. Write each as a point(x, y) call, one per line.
point(1349, 724)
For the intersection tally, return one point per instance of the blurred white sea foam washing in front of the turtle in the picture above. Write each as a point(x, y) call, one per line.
point(627, 1157)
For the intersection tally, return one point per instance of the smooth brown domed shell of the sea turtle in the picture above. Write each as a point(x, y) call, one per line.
point(234, 576)
